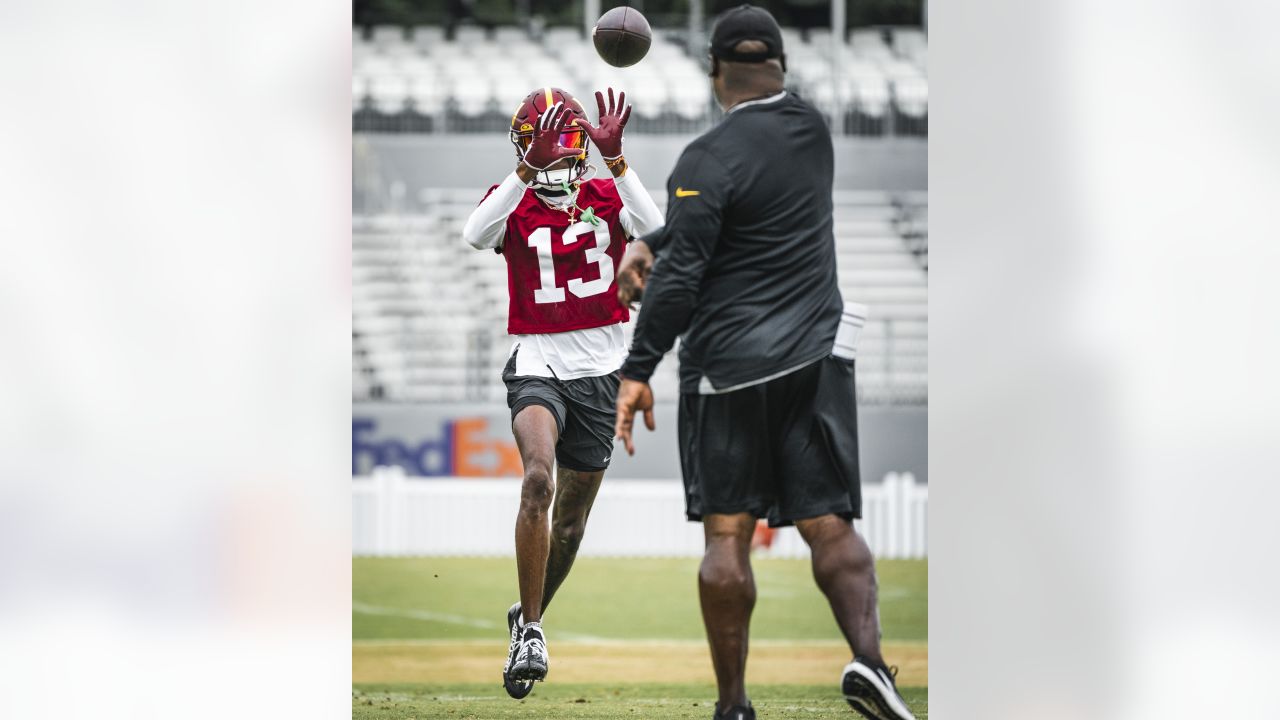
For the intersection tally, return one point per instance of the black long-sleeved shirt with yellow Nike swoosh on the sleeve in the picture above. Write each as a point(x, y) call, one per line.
point(746, 271)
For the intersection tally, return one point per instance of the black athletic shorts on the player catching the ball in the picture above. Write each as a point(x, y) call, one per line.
point(584, 409)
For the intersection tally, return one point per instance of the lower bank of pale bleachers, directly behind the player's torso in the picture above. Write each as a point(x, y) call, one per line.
point(429, 313)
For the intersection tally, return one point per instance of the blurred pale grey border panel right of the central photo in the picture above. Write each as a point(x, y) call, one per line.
point(1104, 181)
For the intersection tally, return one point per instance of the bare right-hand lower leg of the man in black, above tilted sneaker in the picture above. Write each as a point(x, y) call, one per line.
point(845, 571)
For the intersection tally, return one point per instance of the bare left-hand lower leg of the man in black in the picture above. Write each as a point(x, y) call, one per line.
point(728, 591)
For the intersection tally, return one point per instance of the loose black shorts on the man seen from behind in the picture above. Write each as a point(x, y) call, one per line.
point(784, 450)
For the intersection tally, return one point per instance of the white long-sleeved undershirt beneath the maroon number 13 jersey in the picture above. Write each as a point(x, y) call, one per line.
point(574, 354)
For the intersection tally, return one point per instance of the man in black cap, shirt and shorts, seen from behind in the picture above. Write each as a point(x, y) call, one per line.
point(746, 274)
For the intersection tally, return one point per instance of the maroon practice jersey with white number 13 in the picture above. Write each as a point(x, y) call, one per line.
point(561, 275)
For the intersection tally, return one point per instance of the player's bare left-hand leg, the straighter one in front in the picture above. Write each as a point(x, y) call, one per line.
point(536, 436)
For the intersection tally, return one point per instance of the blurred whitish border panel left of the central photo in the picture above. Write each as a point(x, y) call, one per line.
point(173, 393)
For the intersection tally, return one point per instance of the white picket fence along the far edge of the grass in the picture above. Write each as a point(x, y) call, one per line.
point(397, 516)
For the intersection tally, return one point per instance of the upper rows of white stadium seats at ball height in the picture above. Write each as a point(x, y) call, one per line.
point(417, 80)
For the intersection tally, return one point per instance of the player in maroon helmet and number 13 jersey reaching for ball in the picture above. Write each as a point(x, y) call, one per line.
point(563, 235)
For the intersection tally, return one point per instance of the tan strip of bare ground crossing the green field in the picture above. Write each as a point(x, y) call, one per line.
point(641, 663)
